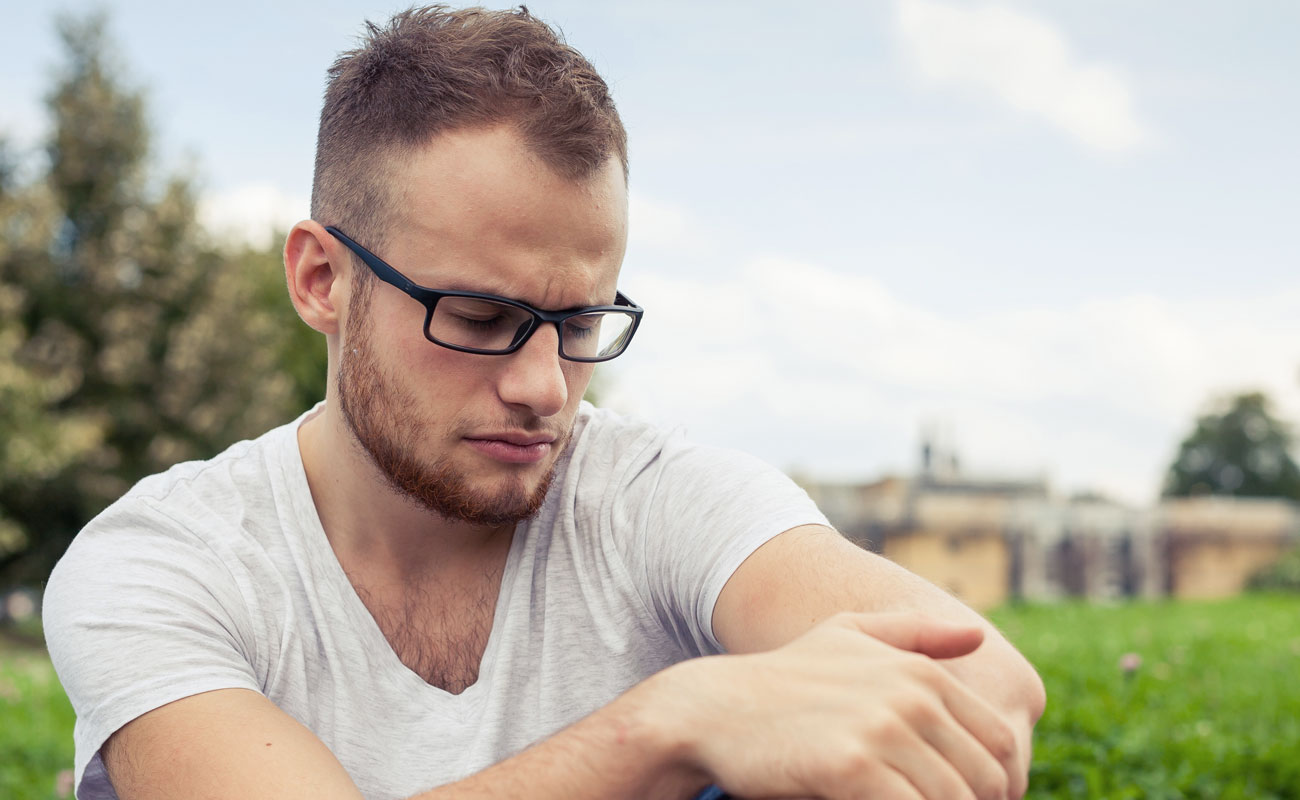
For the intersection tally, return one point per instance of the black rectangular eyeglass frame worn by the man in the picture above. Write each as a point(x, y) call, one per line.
point(430, 300)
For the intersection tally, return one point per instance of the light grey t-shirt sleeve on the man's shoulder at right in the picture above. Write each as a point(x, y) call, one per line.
point(696, 513)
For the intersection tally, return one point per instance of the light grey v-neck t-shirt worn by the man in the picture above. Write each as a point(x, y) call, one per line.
point(218, 574)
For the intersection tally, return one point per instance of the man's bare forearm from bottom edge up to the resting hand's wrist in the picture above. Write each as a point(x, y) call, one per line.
point(626, 750)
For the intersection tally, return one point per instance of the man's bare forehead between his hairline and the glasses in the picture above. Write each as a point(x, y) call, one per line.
point(479, 211)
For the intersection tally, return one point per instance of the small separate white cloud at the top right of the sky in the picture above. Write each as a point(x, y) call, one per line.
point(1026, 63)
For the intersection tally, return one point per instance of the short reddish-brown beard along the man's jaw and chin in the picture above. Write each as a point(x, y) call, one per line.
point(374, 405)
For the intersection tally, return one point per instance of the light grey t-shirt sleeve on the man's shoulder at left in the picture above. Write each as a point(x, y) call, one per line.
point(140, 613)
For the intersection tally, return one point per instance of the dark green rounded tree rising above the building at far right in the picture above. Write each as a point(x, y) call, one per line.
point(1237, 448)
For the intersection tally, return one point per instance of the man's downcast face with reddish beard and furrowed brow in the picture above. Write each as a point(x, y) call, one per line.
point(476, 438)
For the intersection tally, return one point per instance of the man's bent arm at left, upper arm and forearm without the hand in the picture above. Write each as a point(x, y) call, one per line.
point(236, 743)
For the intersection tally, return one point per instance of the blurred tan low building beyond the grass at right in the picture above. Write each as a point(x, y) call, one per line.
point(990, 540)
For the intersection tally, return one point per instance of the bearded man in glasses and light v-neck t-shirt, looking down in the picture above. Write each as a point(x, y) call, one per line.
point(453, 580)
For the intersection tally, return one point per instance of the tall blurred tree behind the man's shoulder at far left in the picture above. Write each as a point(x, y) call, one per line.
point(128, 343)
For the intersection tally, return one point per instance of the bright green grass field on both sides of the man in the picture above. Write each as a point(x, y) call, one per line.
point(1212, 712)
